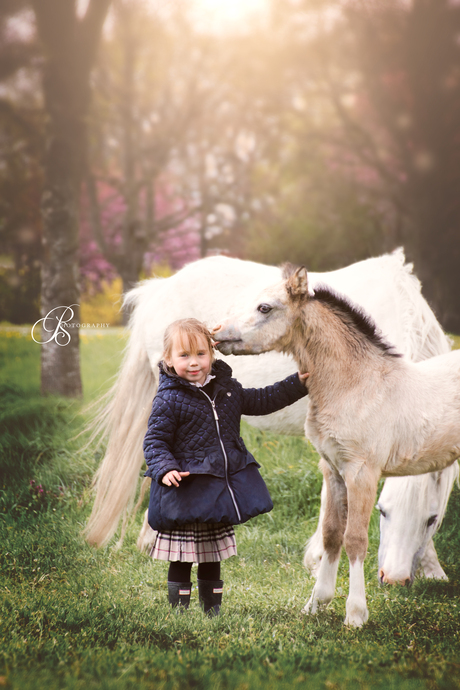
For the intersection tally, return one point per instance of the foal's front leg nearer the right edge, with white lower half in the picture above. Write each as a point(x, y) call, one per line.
point(361, 493)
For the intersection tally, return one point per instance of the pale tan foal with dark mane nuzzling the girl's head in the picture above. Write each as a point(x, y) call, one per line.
point(371, 412)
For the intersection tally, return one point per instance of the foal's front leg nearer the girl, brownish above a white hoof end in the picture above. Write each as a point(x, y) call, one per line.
point(335, 519)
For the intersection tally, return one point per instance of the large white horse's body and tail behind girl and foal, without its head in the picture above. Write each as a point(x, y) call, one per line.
point(209, 289)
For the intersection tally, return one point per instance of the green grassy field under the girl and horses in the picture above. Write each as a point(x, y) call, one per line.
point(78, 618)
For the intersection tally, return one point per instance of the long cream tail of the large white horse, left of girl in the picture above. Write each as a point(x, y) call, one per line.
point(123, 421)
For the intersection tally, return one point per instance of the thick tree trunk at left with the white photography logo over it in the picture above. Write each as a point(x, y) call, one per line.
point(69, 44)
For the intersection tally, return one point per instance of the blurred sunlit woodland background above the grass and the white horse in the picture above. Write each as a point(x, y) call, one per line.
point(315, 131)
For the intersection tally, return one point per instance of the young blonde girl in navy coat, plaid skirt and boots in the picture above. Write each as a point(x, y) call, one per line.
point(204, 480)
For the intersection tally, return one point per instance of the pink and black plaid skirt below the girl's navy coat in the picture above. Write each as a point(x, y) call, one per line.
point(195, 543)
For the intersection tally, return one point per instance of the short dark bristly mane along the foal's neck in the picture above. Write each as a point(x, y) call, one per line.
point(351, 313)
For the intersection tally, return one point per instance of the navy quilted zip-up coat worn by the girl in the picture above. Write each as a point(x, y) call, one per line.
point(190, 432)
